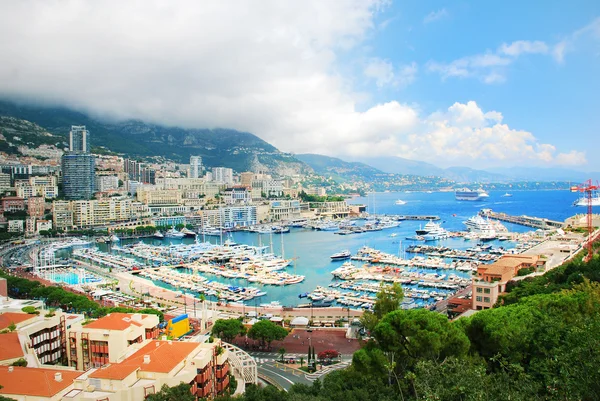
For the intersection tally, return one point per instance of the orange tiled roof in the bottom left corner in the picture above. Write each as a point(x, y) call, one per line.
point(38, 382)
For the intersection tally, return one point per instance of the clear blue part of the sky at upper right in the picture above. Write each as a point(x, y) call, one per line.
point(557, 101)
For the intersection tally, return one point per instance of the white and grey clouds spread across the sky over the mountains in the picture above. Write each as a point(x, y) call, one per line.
point(268, 67)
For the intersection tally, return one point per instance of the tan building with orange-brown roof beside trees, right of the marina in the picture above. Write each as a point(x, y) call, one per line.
point(492, 279)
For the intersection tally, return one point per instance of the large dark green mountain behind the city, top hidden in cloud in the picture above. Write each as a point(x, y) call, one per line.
point(241, 151)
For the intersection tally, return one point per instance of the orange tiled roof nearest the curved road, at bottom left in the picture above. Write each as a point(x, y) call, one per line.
point(164, 356)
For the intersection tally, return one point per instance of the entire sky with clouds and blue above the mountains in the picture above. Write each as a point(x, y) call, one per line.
point(455, 83)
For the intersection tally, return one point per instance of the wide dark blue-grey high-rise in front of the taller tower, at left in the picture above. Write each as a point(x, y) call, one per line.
point(79, 175)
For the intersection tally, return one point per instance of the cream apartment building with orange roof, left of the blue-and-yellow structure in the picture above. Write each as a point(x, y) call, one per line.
point(108, 339)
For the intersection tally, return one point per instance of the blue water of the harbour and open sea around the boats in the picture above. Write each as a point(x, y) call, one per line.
point(311, 249)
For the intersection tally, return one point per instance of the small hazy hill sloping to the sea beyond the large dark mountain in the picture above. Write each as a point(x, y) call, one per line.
point(338, 168)
